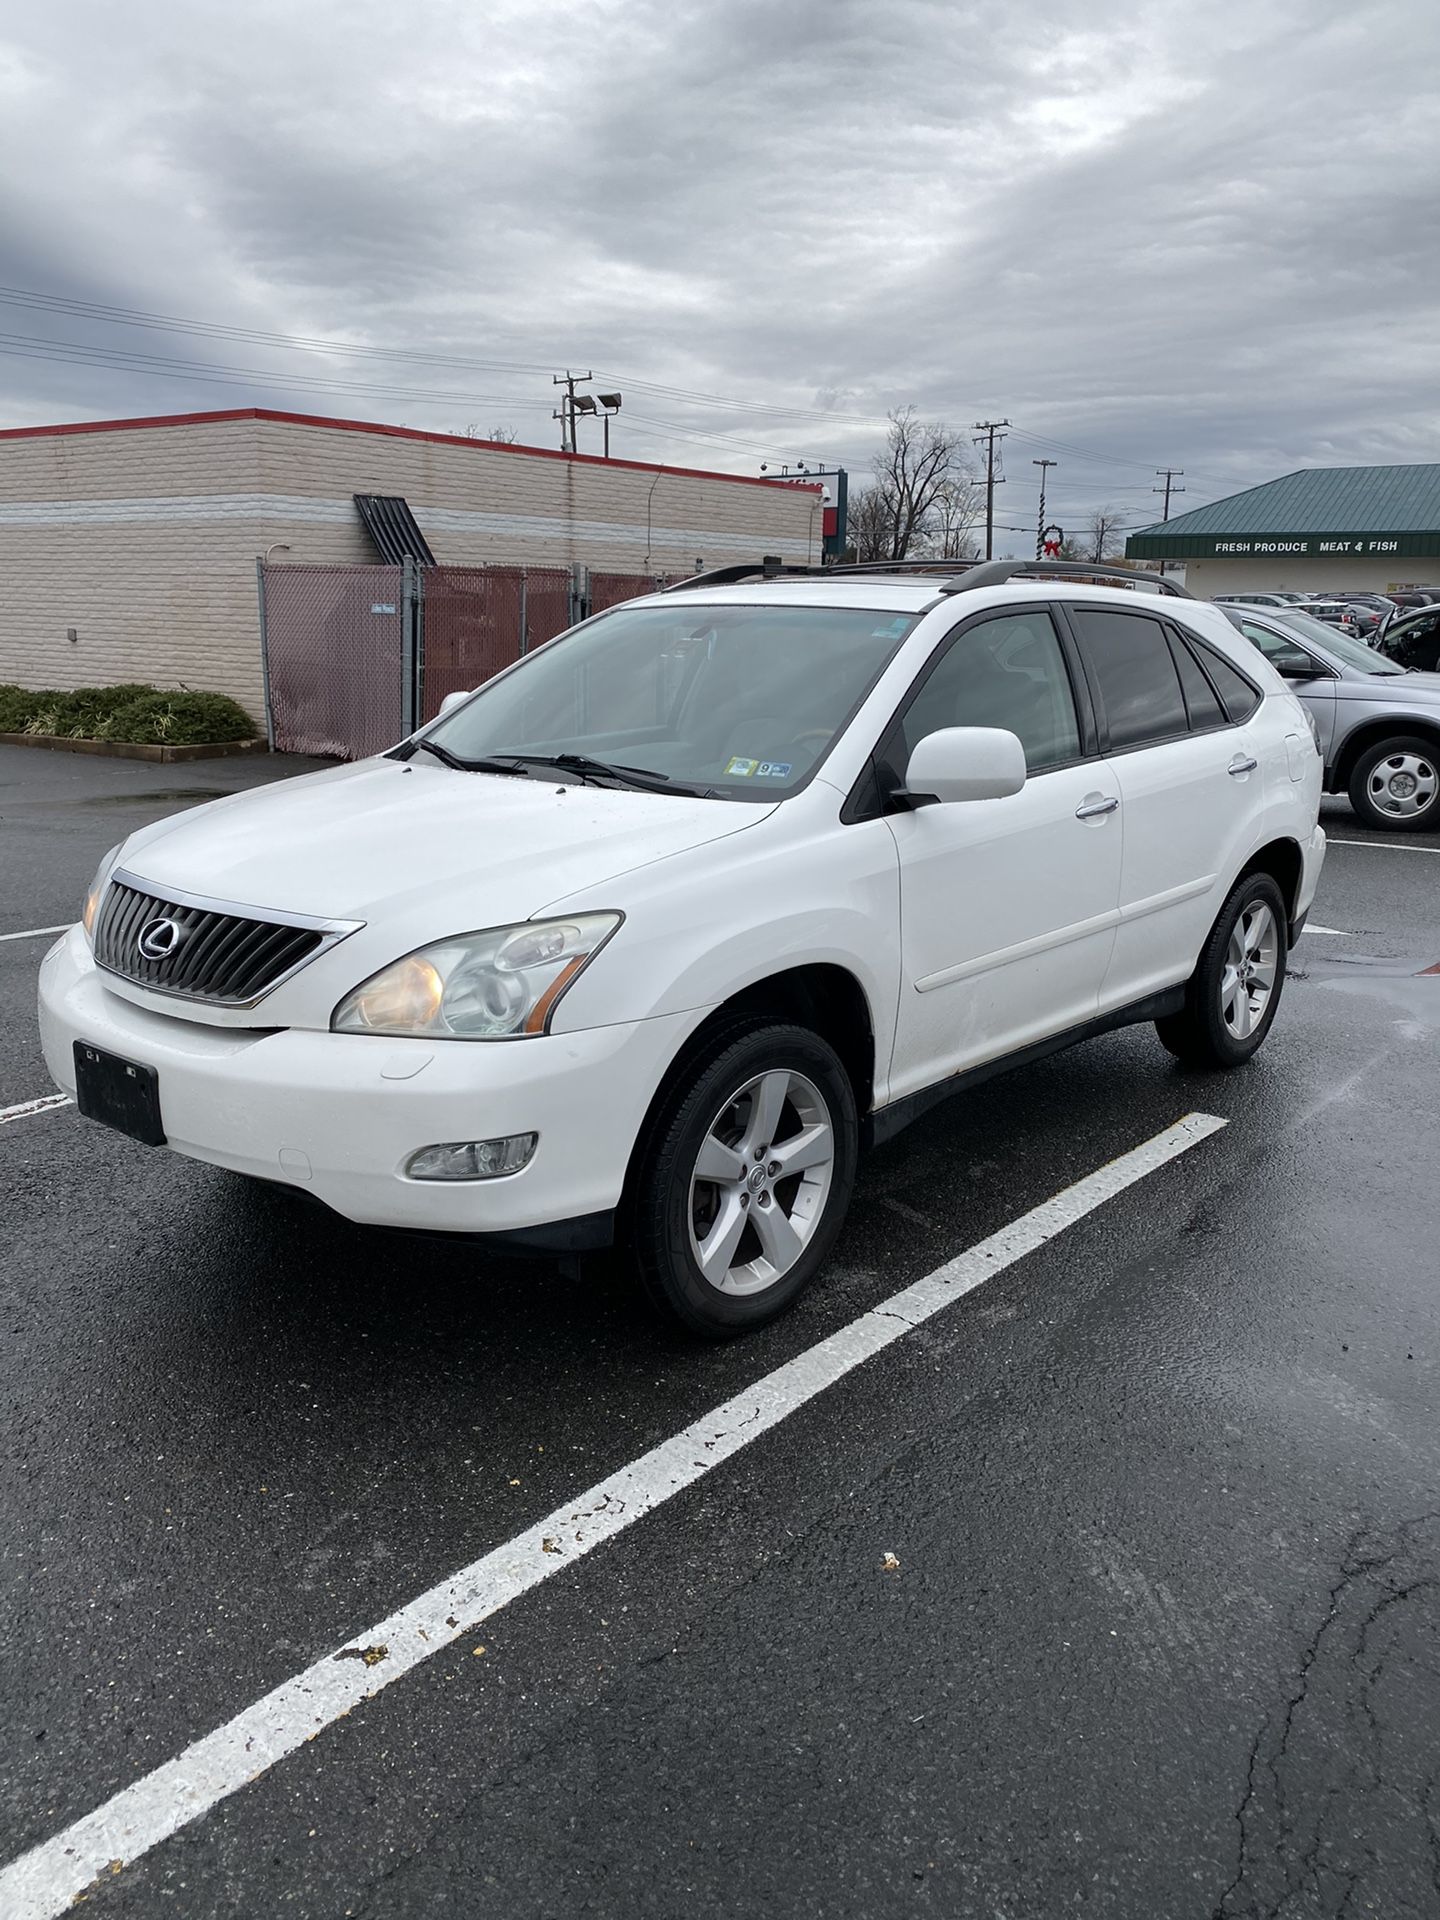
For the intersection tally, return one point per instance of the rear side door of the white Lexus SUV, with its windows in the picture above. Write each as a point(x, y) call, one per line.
point(1189, 782)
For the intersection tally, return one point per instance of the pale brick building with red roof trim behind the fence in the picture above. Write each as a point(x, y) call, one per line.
point(128, 548)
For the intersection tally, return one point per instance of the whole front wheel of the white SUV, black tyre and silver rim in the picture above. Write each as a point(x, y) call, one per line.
point(746, 1180)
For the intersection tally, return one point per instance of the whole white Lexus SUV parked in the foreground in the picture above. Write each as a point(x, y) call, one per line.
point(667, 921)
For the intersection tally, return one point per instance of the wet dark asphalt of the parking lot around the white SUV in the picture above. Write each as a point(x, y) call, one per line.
point(1163, 1495)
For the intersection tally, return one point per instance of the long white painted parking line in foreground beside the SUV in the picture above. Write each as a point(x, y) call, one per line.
point(45, 1881)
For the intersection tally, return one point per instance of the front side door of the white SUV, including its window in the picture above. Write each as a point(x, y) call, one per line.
point(1007, 907)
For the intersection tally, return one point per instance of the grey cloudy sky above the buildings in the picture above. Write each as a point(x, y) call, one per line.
point(1193, 233)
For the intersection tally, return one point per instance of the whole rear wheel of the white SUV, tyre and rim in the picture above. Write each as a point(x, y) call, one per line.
point(1236, 990)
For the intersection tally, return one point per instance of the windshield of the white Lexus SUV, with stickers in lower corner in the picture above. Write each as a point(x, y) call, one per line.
point(734, 702)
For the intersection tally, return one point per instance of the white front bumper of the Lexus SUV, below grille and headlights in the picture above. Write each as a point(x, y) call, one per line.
point(339, 1115)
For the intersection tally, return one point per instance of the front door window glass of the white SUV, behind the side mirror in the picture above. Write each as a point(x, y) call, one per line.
point(1003, 673)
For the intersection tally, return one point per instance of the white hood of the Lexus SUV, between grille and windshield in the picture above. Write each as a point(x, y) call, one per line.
point(487, 850)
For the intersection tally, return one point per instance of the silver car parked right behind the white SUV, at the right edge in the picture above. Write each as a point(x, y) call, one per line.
point(1380, 727)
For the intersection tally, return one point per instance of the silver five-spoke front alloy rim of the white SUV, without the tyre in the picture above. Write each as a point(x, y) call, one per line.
point(761, 1182)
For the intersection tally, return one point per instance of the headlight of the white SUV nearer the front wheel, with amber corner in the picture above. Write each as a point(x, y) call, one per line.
point(496, 986)
